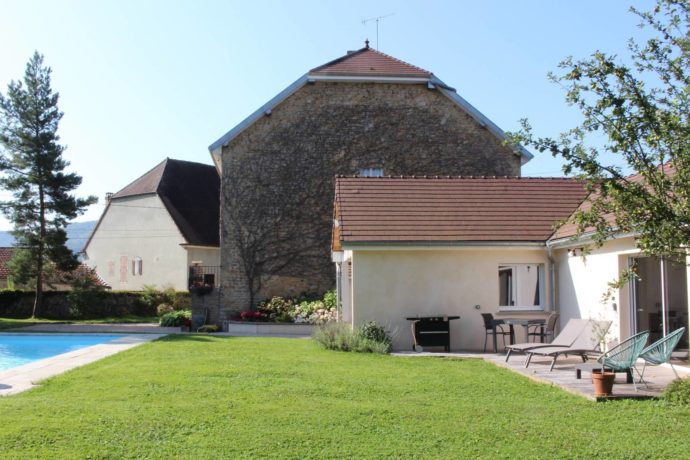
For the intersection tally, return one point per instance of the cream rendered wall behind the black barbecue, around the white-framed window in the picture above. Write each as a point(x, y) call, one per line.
point(390, 285)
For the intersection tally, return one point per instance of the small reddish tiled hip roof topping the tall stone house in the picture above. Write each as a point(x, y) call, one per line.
point(369, 62)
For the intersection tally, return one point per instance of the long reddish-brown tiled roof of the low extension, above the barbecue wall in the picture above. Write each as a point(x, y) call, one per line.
point(459, 209)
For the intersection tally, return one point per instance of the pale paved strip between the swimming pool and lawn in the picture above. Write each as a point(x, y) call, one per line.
point(22, 378)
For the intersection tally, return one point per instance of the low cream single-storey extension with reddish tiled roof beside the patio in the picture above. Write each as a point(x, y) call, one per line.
point(464, 246)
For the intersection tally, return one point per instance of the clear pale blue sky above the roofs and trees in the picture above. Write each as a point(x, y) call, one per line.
point(143, 80)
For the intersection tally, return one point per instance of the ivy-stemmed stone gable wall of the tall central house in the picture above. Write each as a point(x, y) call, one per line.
point(284, 167)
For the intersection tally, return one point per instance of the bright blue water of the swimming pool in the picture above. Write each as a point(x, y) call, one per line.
point(19, 349)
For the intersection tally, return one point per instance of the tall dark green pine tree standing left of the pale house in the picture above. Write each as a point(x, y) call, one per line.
point(34, 172)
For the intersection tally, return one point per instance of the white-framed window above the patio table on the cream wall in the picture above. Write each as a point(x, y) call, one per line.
point(521, 286)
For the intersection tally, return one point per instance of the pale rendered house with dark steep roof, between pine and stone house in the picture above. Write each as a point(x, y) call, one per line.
point(156, 228)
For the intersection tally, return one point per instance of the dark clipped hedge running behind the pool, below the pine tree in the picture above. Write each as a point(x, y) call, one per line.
point(72, 305)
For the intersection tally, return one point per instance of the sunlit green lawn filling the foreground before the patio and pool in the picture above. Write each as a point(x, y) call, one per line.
point(214, 397)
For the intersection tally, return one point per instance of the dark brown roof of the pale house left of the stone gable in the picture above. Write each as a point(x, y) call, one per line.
point(191, 194)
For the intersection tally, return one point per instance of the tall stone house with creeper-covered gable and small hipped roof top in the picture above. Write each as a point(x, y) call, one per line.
point(364, 113)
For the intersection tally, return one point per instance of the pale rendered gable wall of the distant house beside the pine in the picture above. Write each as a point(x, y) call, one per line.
point(138, 227)
